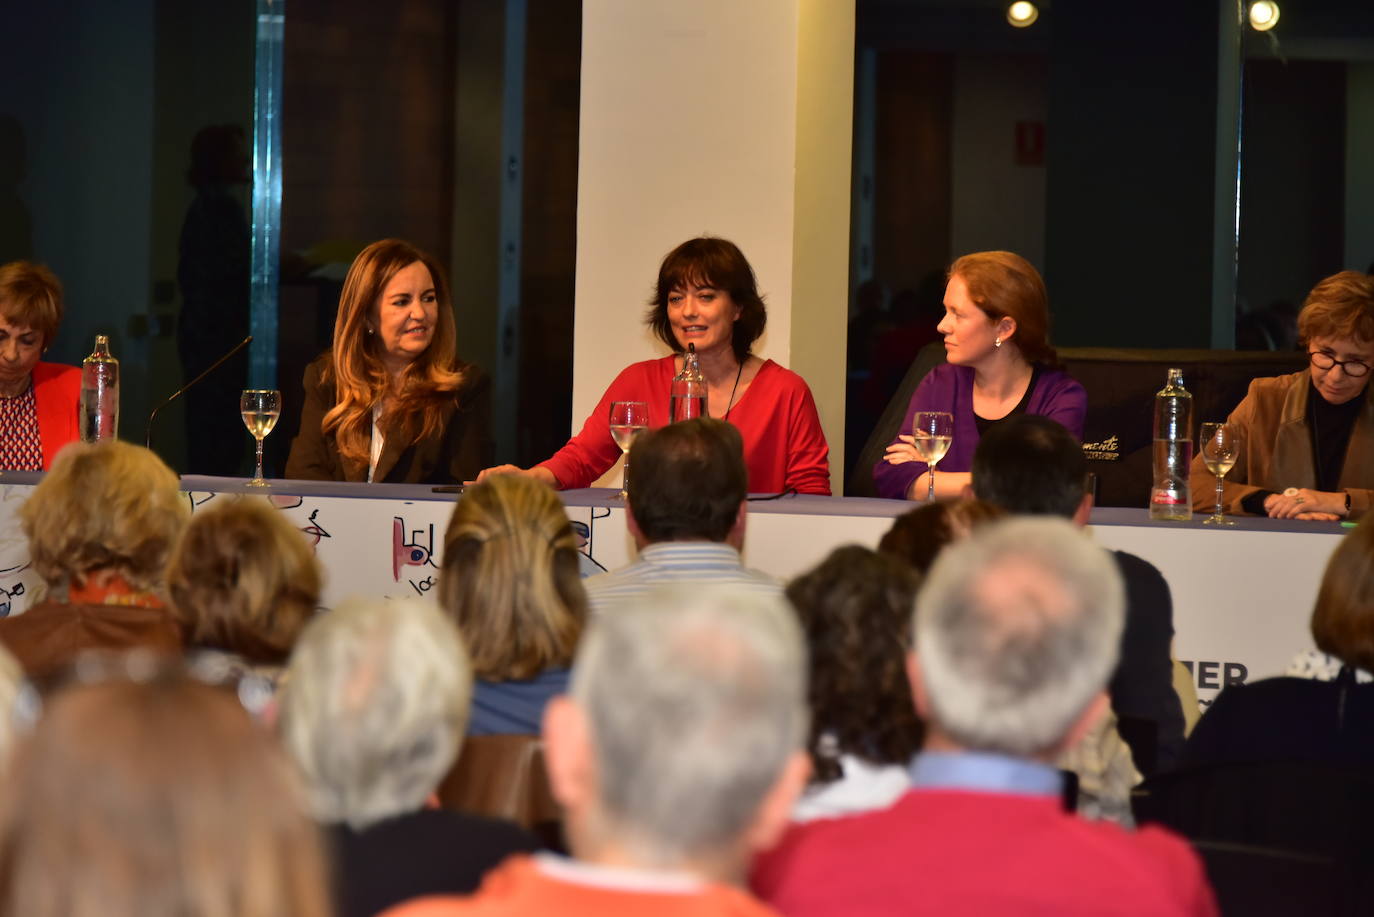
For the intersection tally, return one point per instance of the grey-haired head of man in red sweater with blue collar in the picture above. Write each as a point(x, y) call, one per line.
point(1016, 630)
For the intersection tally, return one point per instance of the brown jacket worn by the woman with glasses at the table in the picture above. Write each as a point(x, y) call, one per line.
point(1277, 449)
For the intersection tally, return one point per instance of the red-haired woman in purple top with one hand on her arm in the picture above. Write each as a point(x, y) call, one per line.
point(1000, 364)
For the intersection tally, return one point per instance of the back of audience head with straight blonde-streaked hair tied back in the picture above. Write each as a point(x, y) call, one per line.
point(512, 579)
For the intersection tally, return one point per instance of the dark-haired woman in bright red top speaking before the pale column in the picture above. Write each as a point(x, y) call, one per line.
point(707, 296)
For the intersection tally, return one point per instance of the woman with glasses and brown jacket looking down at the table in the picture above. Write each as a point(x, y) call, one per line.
point(1307, 439)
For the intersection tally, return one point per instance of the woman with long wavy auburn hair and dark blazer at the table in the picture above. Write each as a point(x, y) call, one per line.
point(392, 402)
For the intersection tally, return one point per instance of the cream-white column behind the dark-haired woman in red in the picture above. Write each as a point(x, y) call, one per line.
point(730, 119)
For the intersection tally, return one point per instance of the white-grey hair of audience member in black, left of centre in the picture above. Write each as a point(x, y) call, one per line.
point(374, 707)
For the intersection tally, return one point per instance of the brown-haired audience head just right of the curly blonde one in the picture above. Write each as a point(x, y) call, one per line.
point(244, 579)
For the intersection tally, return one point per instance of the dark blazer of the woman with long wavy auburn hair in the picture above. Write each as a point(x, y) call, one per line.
point(457, 454)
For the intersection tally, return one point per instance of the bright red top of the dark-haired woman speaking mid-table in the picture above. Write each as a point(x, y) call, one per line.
point(777, 417)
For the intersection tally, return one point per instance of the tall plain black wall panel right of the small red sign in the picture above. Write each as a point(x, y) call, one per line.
point(1130, 178)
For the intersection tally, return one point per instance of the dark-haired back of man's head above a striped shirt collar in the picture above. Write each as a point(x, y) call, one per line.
point(688, 483)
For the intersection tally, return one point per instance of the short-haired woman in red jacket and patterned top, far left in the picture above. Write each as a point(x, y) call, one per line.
point(38, 401)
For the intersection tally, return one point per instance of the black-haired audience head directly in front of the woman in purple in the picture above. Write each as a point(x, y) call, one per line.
point(1030, 465)
